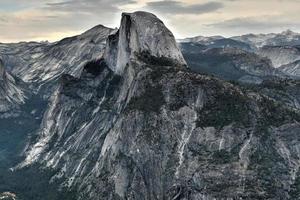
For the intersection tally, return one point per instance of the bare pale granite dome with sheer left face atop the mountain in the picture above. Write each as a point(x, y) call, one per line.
point(141, 32)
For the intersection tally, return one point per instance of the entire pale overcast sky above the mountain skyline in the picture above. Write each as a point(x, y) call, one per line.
point(24, 20)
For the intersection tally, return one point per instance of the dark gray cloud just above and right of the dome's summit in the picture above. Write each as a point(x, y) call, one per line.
point(177, 7)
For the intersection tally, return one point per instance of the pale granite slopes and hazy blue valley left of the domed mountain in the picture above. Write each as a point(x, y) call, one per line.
point(32, 72)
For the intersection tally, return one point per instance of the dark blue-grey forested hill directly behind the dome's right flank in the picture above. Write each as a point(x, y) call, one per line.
point(229, 63)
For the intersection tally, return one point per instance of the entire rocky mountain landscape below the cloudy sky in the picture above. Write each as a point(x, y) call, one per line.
point(129, 118)
